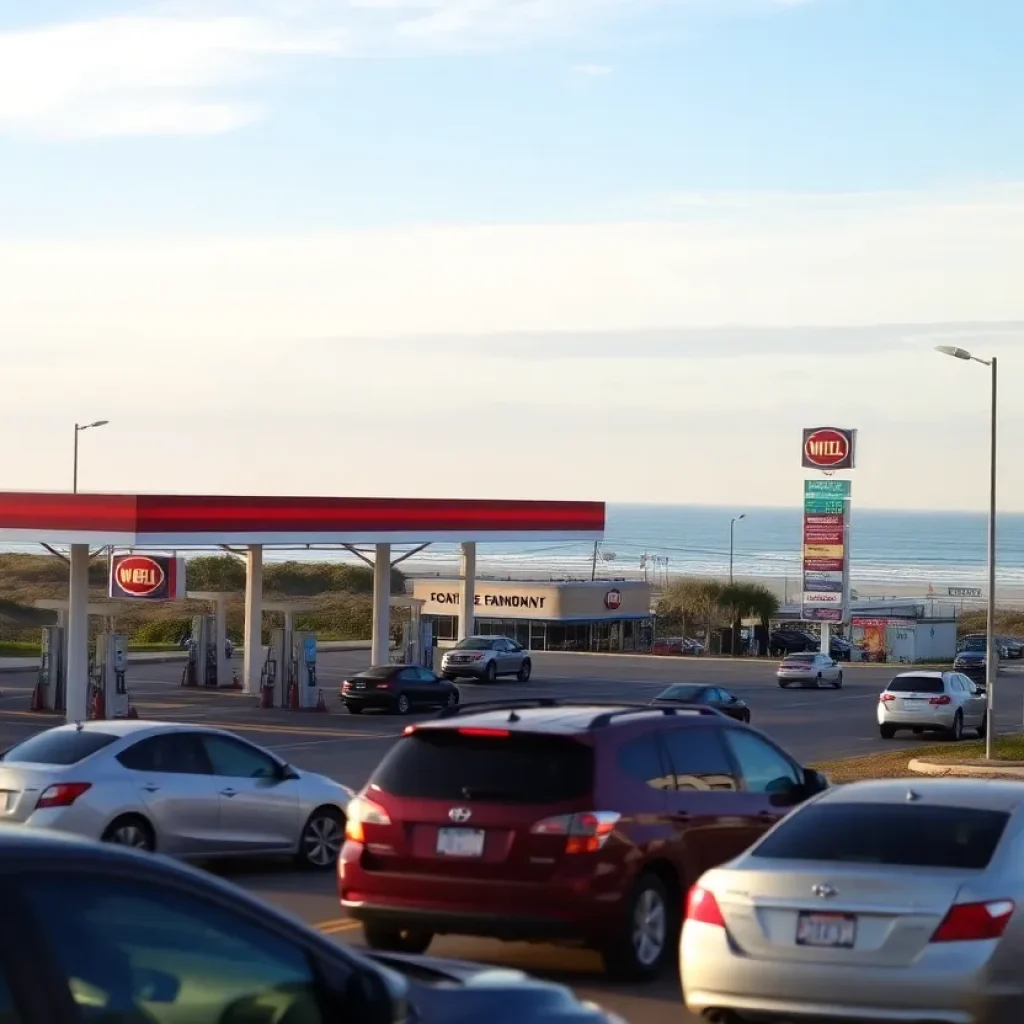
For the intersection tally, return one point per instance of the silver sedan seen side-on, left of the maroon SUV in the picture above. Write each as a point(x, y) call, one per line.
point(186, 791)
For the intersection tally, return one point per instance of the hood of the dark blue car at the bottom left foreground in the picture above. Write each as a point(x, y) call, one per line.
point(458, 991)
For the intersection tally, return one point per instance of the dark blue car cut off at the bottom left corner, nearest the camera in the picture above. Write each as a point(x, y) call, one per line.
point(93, 932)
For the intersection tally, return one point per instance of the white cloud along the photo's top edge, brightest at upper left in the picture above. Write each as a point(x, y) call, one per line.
point(190, 67)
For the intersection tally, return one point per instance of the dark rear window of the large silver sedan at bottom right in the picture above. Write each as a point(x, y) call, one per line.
point(904, 835)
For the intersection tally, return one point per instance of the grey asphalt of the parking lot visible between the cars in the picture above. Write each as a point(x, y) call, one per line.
point(814, 726)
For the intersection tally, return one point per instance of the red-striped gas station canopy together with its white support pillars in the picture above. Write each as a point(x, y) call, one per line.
point(177, 522)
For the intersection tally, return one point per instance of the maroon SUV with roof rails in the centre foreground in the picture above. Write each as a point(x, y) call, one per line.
point(566, 821)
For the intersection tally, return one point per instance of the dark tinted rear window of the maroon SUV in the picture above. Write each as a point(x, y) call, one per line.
point(443, 764)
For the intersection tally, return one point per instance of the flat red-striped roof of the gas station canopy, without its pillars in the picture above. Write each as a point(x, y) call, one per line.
point(185, 522)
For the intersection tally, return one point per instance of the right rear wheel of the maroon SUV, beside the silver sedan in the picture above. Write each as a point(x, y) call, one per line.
point(648, 936)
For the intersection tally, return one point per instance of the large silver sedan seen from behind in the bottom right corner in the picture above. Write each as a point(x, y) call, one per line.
point(895, 901)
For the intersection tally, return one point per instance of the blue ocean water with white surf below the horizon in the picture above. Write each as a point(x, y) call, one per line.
point(942, 549)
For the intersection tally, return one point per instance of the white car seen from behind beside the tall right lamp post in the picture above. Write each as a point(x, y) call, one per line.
point(945, 702)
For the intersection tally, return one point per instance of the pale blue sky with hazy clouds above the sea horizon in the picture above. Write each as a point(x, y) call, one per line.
point(583, 249)
